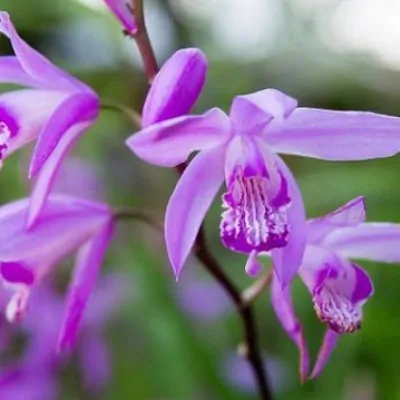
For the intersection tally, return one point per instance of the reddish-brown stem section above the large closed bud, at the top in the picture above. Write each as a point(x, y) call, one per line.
point(143, 42)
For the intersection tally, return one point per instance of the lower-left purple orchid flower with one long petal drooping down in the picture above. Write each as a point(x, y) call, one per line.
point(65, 225)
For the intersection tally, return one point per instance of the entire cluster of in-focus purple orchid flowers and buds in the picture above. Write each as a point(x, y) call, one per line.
point(262, 210)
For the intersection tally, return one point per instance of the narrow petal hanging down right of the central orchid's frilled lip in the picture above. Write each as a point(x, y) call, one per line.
point(287, 260)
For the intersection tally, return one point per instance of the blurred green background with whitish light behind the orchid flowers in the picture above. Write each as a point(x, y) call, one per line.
point(150, 338)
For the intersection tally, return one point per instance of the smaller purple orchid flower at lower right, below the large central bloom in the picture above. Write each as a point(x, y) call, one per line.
point(339, 287)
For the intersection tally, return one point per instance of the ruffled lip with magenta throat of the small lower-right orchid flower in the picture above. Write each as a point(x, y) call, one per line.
point(339, 289)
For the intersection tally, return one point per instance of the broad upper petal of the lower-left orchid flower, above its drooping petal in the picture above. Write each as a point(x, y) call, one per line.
point(65, 224)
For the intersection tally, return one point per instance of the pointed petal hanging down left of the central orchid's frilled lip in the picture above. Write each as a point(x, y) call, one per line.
point(189, 203)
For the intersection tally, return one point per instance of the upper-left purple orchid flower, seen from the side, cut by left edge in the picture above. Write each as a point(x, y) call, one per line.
point(55, 110)
